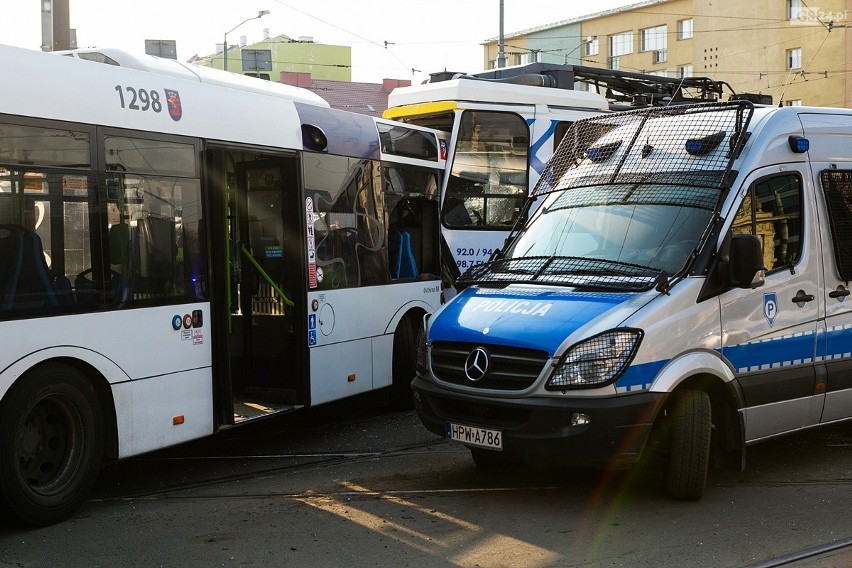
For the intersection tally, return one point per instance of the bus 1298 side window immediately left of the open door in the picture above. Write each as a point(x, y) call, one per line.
point(154, 221)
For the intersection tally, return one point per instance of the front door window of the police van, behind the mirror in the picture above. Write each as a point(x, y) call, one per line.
point(772, 211)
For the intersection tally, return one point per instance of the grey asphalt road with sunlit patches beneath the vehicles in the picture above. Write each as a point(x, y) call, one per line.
point(354, 486)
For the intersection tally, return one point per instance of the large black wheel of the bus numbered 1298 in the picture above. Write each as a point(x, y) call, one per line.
point(51, 444)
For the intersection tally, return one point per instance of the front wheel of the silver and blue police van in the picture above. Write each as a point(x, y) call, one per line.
point(689, 457)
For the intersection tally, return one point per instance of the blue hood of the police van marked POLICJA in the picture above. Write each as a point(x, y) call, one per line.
point(530, 318)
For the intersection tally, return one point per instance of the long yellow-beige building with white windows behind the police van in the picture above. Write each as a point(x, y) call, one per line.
point(791, 50)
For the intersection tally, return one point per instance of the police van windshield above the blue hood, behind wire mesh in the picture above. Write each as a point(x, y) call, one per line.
point(652, 226)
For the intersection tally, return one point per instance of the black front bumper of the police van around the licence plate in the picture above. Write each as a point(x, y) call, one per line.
point(540, 430)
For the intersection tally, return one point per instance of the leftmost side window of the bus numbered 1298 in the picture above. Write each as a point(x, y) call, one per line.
point(44, 216)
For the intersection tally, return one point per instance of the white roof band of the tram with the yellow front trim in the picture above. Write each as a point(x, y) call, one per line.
point(473, 90)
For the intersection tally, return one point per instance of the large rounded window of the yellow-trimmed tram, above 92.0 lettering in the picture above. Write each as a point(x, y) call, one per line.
point(487, 185)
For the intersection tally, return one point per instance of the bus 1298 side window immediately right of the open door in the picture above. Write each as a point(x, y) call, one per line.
point(349, 221)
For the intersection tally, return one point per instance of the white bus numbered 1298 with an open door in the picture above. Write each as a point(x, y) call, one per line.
point(182, 250)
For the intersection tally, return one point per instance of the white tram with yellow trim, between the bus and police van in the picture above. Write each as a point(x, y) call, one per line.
point(503, 127)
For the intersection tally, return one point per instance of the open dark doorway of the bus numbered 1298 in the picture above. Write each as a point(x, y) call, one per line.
point(267, 340)
